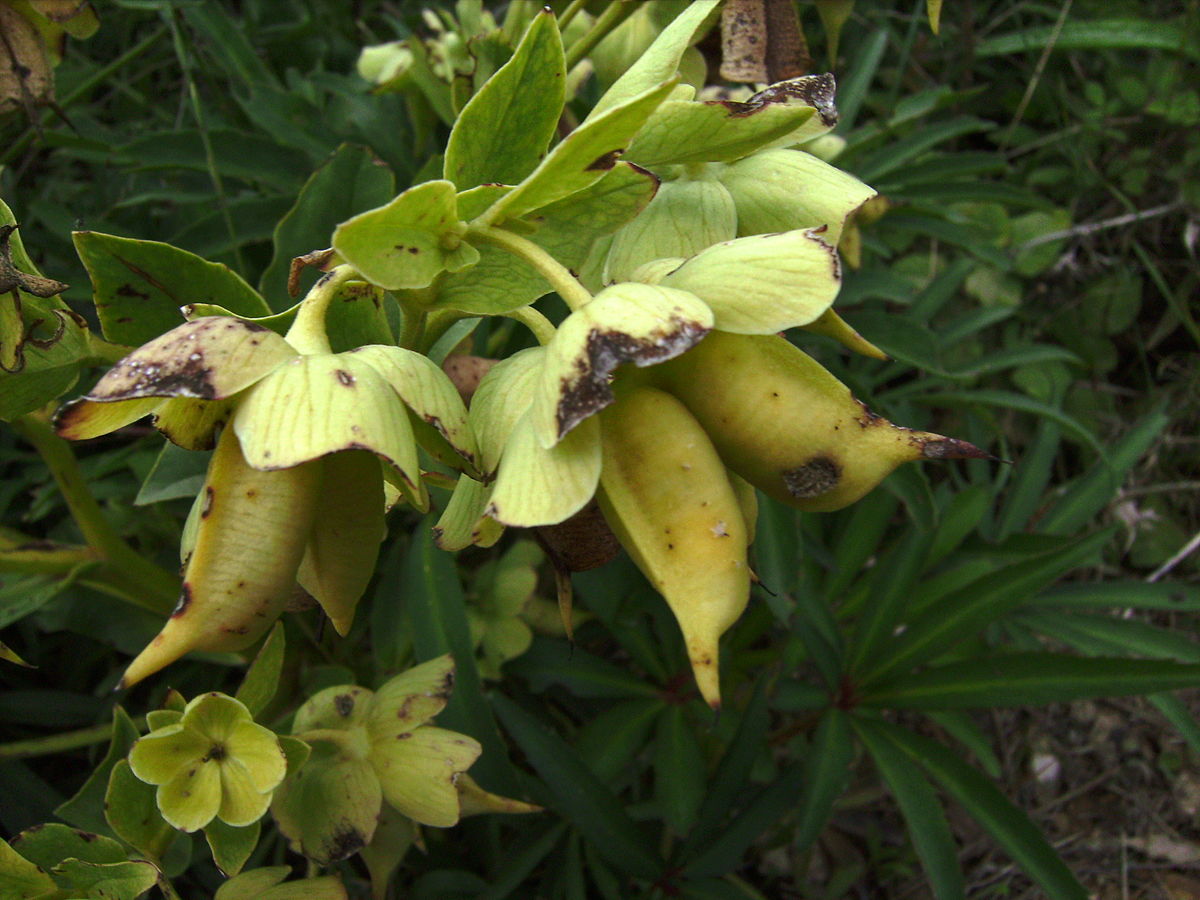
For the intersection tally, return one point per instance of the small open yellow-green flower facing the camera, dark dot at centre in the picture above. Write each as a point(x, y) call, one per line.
point(215, 763)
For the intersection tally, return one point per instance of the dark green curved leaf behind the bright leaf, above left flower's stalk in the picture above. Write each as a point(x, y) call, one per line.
point(351, 182)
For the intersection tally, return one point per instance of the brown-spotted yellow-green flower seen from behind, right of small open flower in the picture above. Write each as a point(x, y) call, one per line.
point(370, 748)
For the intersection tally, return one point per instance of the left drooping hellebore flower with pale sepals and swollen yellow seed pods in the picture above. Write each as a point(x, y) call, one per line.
point(296, 491)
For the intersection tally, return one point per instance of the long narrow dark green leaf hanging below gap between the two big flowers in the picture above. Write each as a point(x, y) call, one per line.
point(437, 611)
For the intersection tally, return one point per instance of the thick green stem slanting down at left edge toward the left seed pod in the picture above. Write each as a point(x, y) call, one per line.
point(157, 590)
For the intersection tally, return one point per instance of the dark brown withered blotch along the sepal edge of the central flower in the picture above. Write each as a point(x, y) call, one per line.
point(589, 392)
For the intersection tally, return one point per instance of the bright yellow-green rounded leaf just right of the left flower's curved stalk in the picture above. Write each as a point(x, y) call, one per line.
point(410, 242)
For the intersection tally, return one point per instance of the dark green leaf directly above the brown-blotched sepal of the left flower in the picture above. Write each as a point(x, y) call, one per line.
point(140, 286)
